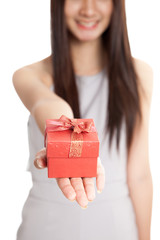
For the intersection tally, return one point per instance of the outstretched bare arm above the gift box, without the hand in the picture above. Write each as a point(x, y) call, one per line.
point(37, 97)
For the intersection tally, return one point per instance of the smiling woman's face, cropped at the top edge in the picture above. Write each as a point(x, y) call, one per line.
point(88, 19)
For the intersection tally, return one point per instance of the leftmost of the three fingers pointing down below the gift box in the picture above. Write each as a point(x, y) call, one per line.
point(66, 187)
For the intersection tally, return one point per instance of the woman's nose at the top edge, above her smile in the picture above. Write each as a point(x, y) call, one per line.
point(88, 8)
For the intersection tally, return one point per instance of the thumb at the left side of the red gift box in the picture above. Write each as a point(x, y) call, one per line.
point(40, 160)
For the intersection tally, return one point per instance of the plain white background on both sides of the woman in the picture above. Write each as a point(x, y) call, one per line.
point(25, 38)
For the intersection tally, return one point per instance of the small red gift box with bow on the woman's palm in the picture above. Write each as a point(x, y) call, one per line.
point(72, 147)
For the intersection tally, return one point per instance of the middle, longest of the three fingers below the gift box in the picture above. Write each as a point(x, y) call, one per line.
point(81, 197)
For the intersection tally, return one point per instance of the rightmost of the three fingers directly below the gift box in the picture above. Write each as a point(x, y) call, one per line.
point(89, 188)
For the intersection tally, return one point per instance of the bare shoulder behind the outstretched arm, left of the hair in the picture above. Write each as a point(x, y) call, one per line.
point(41, 70)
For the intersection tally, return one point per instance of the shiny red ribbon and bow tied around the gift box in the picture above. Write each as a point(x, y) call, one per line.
point(65, 123)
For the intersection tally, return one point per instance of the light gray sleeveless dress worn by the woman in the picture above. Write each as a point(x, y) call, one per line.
point(48, 214)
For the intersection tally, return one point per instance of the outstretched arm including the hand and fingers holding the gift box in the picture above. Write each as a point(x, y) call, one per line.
point(43, 104)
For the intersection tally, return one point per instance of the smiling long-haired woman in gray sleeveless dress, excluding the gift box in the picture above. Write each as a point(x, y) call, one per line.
point(90, 74)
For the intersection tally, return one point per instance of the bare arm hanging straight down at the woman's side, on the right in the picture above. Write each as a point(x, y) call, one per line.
point(139, 176)
